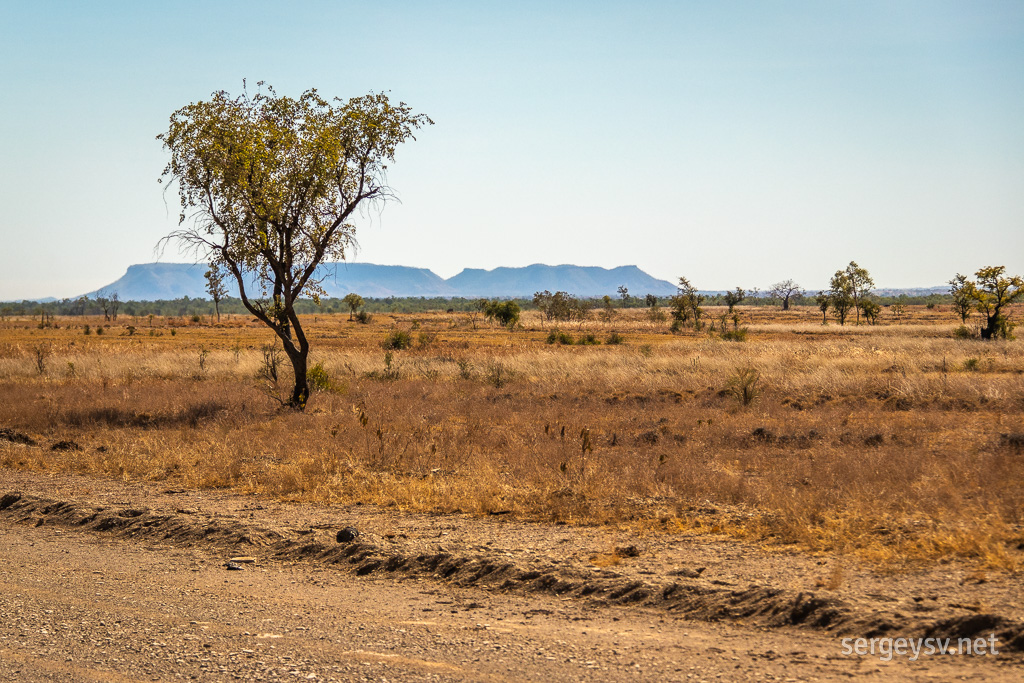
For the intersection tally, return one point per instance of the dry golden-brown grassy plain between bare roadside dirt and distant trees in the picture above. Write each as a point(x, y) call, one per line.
point(895, 444)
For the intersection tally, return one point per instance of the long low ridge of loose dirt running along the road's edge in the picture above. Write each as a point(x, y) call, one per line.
point(691, 596)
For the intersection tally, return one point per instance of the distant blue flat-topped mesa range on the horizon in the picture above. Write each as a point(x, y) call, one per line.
point(150, 282)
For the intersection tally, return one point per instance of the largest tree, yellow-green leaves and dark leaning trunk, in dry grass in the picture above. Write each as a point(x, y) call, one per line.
point(272, 183)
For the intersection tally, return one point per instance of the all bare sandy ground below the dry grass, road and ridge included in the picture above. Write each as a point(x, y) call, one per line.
point(102, 581)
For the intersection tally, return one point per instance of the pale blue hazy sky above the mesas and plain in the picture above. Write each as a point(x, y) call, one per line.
point(738, 144)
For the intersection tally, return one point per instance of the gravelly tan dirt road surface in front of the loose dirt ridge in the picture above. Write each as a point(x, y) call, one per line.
point(89, 606)
